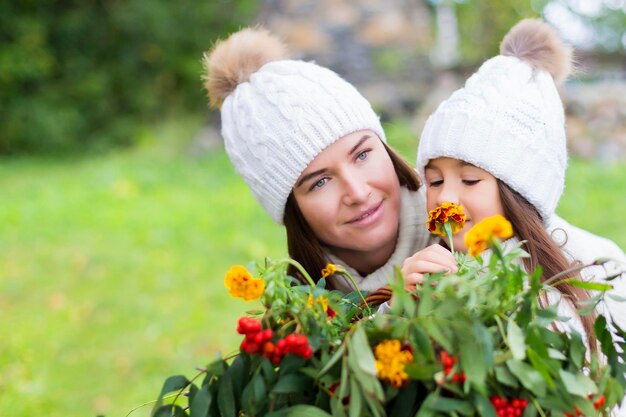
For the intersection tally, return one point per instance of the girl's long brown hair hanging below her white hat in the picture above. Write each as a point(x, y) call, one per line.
point(544, 252)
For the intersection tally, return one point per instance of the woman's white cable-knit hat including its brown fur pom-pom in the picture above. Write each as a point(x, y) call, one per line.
point(277, 114)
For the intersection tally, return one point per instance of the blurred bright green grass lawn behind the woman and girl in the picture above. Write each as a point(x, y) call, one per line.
point(111, 267)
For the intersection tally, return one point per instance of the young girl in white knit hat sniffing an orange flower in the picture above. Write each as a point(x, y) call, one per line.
point(497, 146)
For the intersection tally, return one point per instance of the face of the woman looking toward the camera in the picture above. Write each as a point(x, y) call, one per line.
point(350, 196)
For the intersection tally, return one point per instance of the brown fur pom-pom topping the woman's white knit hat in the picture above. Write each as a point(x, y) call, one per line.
point(234, 60)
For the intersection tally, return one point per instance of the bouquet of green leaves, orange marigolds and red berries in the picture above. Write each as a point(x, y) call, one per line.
point(473, 343)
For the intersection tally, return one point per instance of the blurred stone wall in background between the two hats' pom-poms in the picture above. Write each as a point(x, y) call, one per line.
point(381, 46)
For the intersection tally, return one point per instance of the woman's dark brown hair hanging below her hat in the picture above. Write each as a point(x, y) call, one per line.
point(305, 247)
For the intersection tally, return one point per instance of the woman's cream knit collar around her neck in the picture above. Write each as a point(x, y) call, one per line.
point(413, 236)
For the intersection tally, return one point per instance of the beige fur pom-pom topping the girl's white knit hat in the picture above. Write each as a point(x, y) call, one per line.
point(537, 43)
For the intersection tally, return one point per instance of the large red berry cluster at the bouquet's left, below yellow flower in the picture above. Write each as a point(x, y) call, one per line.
point(260, 341)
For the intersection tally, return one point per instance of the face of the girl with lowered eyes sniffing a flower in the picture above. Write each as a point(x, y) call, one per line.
point(458, 182)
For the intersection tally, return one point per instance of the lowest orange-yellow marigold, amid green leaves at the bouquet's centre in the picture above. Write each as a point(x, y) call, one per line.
point(391, 360)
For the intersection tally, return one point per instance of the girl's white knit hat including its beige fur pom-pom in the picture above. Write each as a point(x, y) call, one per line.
point(509, 119)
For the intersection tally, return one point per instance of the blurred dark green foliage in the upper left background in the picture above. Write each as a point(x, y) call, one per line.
point(77, 74)
